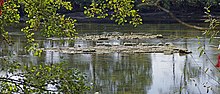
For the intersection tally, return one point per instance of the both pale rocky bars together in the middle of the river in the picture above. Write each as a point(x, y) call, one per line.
point(111, 43)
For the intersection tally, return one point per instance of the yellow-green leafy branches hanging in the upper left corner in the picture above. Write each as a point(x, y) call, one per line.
point(42, 17)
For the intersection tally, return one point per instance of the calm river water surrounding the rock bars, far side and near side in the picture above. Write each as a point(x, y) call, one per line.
point(155, 73)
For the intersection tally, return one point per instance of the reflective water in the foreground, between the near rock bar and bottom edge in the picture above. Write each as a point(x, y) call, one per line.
point(150, 73)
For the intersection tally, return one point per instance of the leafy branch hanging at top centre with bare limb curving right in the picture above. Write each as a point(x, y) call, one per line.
point(122, 11)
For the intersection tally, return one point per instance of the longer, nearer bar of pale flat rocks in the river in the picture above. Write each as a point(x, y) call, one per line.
point(127, 48)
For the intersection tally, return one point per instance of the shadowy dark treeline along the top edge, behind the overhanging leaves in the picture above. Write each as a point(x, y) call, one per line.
point(186, 5)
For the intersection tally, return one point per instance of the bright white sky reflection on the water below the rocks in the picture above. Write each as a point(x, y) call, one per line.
point(164, 73)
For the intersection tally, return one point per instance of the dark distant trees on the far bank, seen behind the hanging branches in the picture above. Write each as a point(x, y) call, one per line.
point(182, 6)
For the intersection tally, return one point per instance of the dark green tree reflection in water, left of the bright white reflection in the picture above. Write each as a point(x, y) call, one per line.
point(126, 73)
